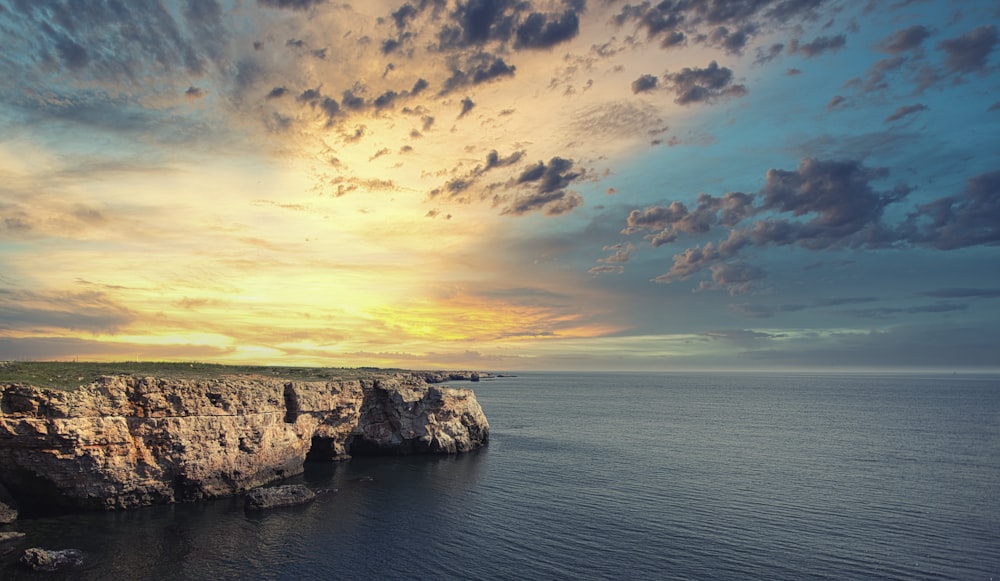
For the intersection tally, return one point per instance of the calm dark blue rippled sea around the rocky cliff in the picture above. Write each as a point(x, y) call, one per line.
point(617, 476)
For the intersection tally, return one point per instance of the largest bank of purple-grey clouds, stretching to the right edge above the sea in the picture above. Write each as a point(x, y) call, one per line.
point(821, 205)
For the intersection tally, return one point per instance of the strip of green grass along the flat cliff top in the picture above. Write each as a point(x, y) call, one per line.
point(70, 375)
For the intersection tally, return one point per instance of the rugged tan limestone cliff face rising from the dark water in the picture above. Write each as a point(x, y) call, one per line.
point(127, 441)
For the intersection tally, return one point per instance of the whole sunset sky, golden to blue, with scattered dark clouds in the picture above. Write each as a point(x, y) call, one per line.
point(502, 184)
